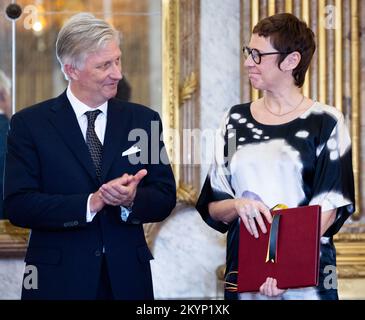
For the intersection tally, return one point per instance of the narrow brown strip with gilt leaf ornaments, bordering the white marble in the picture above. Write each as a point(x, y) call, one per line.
point(189, 98)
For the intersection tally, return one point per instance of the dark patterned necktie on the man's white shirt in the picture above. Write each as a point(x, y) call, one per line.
point(92, 140)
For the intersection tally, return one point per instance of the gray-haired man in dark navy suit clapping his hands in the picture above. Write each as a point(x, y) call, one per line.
point(70, 179)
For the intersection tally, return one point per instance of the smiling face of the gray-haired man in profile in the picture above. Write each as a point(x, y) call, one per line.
point(97, 80)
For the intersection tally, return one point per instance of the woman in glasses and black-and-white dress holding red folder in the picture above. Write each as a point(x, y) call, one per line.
point(282, 148)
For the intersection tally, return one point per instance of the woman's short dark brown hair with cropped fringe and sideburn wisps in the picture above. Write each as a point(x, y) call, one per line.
point(288, 34)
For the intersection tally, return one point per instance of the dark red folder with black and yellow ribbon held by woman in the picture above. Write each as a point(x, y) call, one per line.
point(297, 251)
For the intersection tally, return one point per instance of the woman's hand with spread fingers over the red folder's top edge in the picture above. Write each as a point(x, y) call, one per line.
point(250, 212)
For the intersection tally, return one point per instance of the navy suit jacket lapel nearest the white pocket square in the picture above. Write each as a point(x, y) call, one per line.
point(117, 129)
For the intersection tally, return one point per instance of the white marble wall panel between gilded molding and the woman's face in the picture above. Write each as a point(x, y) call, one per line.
point(220, 64)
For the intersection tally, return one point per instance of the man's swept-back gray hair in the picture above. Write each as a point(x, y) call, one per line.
point(81, 35)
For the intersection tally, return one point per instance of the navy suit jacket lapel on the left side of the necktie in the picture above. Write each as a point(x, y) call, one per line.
point(64, 120)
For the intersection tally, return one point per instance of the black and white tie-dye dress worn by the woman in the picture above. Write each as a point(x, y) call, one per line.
point(306, 161)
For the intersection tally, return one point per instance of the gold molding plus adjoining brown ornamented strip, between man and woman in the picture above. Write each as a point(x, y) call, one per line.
point(181, 87)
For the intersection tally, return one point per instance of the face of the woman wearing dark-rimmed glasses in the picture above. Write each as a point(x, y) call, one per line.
point(266, 75)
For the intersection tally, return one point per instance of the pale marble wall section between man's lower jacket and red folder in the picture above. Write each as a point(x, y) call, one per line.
point(187, 253)
